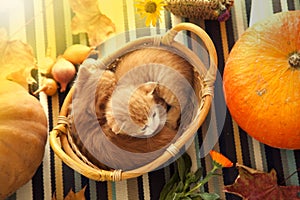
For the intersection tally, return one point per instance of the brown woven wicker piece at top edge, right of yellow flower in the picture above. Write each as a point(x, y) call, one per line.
point(200, 9)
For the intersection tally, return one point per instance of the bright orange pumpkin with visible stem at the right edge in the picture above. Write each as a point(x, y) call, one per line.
point(262, 81)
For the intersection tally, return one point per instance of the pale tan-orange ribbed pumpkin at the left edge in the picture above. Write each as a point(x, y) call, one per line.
point(23, 135)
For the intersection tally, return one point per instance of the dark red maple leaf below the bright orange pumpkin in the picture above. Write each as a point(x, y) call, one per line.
point(255, 185)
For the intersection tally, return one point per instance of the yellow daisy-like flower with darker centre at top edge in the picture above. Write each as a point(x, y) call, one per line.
point(150, 9)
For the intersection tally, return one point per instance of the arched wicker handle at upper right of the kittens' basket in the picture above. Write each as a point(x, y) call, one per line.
point(210, 77)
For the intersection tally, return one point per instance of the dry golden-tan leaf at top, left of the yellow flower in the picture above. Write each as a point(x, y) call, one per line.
point(89, 19)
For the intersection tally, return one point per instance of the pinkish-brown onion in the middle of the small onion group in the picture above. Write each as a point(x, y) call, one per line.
point(63, 71)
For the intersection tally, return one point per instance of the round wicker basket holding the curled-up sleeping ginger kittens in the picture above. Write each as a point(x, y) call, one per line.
point(68, 152)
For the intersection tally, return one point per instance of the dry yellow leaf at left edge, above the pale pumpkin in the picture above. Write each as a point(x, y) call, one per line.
point(16, 60)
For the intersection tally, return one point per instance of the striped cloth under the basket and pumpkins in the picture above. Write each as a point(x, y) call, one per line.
point(45, 25)
